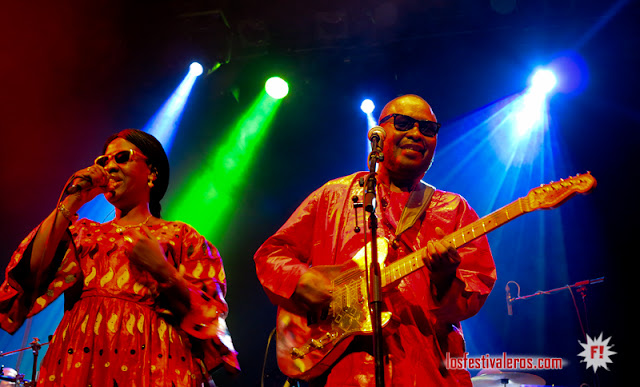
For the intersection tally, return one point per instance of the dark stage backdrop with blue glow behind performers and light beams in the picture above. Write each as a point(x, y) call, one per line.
point(73, 72)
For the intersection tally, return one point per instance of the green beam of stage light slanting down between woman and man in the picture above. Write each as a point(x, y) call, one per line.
point(209, 196)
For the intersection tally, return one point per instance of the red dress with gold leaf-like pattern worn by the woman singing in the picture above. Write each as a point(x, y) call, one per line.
point(117, 329)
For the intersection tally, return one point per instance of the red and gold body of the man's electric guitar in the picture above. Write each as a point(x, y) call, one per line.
point(306, 348)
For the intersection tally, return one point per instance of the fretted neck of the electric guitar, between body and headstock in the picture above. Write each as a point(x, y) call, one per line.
point(458, 238)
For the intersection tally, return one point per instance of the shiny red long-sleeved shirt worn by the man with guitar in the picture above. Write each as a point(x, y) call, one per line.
point(424, 327)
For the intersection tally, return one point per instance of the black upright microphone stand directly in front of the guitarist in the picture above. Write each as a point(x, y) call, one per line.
point(375, 291)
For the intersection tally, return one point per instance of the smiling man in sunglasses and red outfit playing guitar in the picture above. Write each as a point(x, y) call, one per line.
point(307, 269)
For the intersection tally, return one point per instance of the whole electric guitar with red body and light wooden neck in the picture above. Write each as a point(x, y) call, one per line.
point(306, 348)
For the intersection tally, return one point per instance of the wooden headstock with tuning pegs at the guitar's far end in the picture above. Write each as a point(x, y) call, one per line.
point(553, 194)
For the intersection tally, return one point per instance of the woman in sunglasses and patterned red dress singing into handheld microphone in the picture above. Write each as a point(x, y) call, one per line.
point(144, 297)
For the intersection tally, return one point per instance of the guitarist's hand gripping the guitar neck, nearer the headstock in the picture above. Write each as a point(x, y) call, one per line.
point(442, 261)
